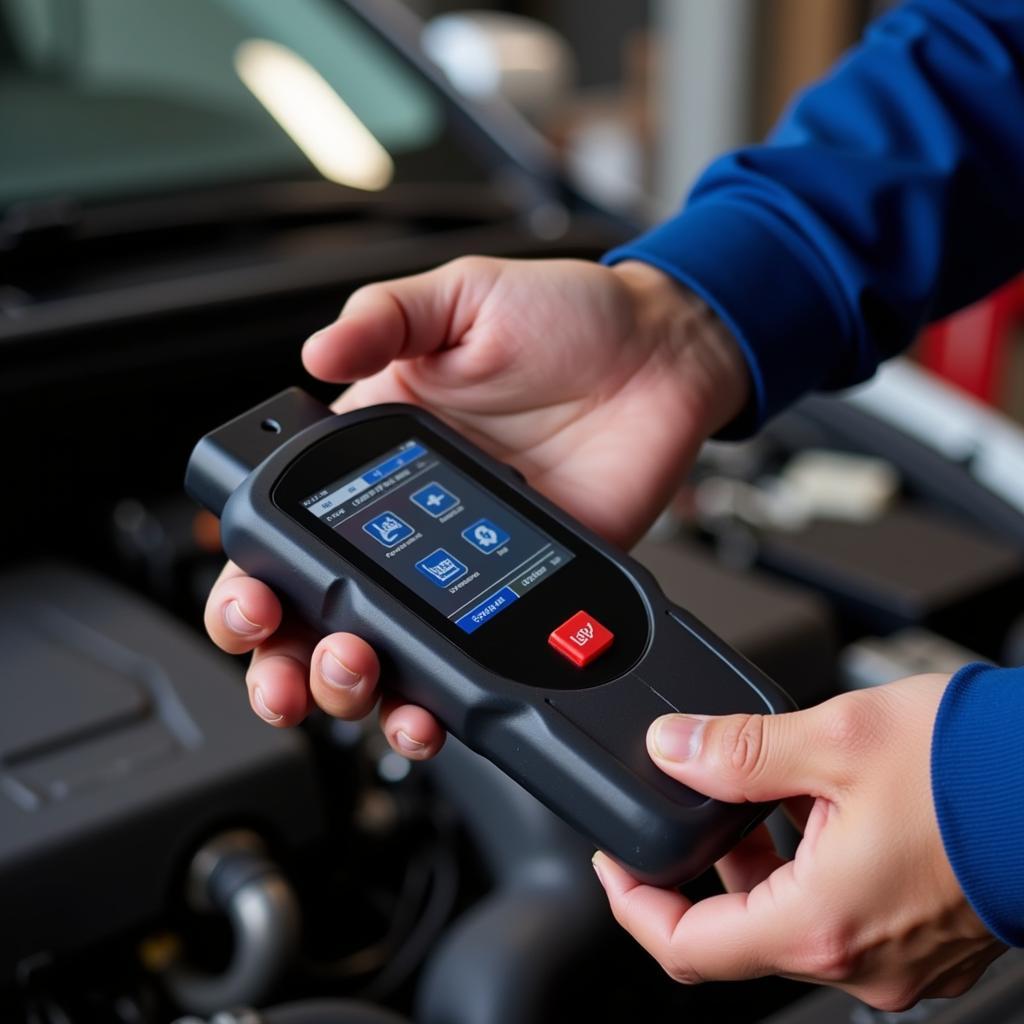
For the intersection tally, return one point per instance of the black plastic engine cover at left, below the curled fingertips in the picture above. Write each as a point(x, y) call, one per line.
point(124, 745)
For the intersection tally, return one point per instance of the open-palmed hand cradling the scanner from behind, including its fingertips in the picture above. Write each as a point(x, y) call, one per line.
point(599, 385)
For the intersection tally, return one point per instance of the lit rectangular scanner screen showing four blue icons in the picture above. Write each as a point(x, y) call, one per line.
point(442, 535)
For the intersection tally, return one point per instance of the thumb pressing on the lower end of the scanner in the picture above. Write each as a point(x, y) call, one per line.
point(740, 758)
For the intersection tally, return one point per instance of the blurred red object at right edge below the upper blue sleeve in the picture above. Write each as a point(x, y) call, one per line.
point(969, 349)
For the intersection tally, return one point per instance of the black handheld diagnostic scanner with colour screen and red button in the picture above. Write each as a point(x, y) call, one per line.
point(531, 639)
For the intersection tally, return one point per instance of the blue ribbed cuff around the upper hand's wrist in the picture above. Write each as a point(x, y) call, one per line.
point(778, 308)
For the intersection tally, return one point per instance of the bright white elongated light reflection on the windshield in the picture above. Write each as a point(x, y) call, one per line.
point(314, 116)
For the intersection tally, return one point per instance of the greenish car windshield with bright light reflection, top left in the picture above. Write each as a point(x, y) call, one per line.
point(108, 99)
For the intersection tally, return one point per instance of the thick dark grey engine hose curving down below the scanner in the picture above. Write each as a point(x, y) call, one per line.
point(503, 959)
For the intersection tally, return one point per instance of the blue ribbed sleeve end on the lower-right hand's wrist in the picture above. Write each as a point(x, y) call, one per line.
point(978, 789)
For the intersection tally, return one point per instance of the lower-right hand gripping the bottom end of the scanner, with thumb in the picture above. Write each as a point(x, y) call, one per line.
point(869, 905)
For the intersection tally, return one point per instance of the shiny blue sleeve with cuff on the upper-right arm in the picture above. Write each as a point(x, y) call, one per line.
point(891, 194)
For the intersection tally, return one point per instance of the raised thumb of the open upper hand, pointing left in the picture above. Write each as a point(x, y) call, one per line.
point(400, 320)
